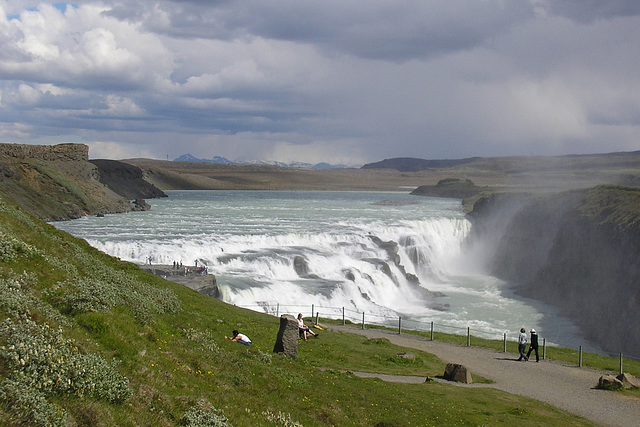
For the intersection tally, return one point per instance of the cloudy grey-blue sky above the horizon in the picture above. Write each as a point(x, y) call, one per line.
point(322, 81)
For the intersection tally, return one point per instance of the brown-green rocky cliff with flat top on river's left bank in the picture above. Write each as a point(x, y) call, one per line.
point(58, 182)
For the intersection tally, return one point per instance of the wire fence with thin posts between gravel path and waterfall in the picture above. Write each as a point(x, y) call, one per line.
point(432, 329)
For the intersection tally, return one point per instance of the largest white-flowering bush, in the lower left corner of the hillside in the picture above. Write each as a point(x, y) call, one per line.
point(40, 360)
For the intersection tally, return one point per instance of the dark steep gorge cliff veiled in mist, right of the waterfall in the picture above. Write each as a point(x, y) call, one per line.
point(578, 251)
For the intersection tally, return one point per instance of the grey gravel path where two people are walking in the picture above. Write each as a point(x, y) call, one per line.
point(566, 387)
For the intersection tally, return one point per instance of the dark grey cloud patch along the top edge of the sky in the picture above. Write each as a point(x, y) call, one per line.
point(393, 29)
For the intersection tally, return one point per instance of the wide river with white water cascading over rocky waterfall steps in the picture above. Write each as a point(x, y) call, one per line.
point(329, 249)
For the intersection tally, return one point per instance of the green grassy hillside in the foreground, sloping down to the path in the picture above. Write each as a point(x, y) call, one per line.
point(86, 339)
